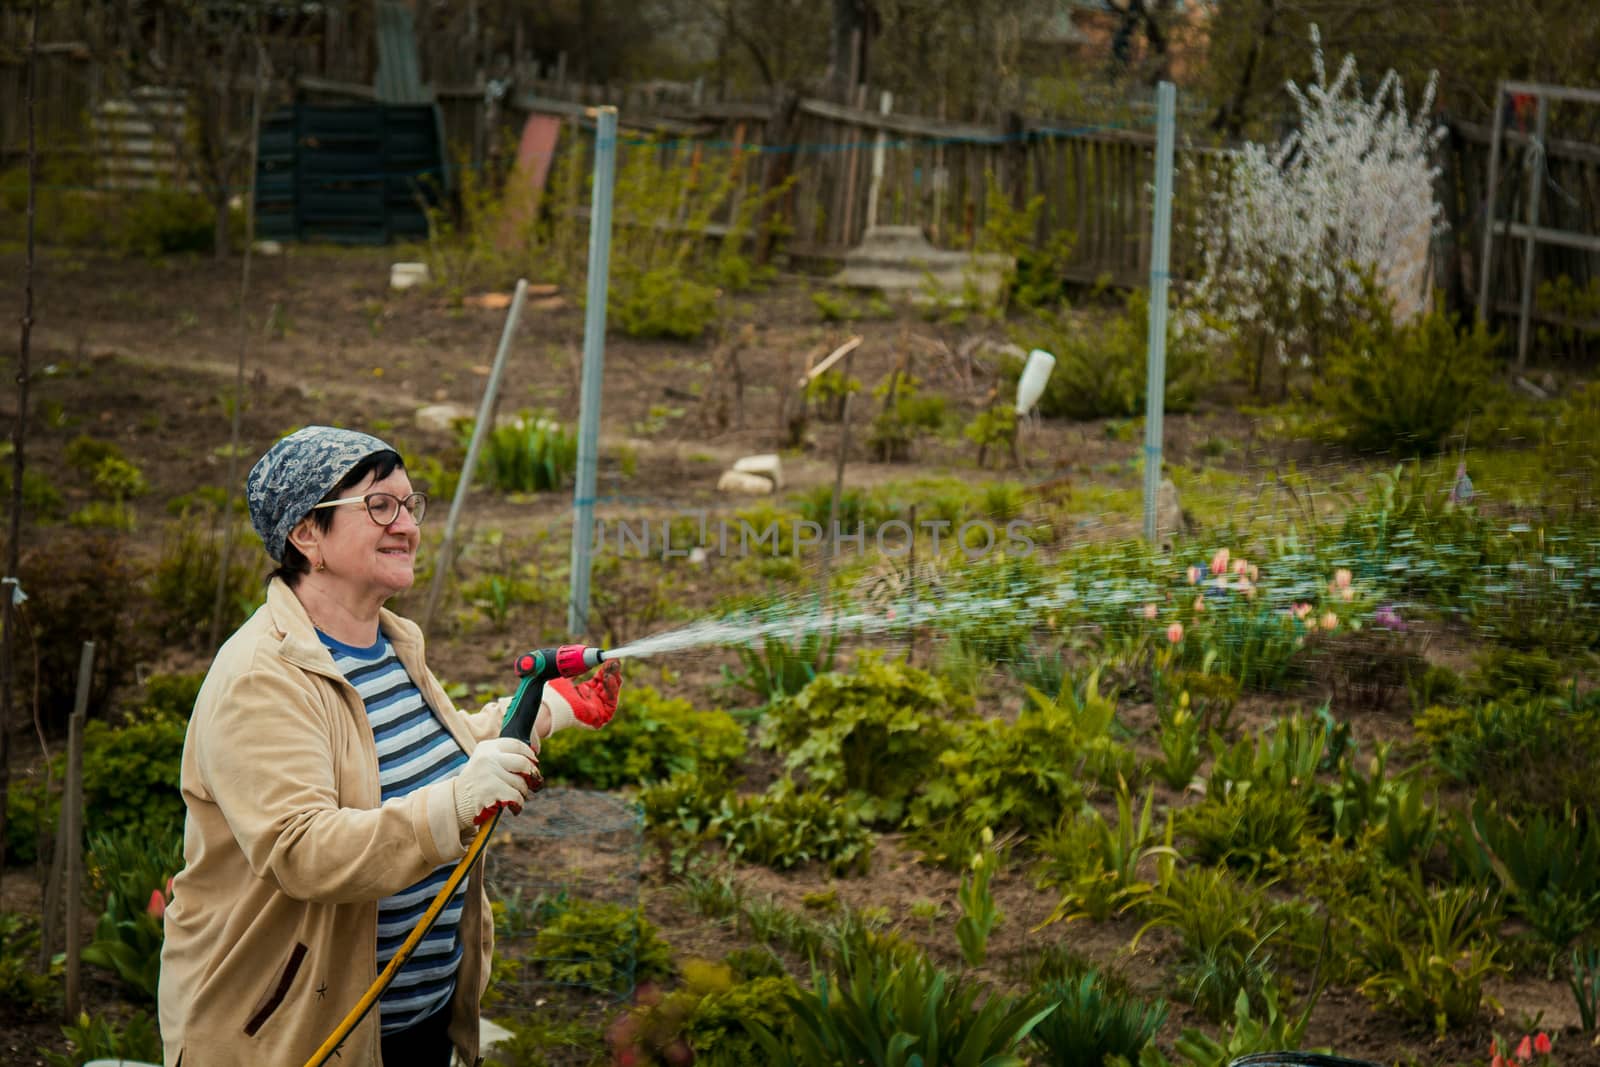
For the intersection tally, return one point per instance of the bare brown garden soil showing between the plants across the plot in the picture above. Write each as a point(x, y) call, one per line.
point(145, 356)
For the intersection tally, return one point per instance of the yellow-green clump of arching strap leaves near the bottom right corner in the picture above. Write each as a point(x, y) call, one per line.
point(1428, 953)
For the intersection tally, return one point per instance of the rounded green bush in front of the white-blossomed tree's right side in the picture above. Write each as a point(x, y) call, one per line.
point(1407, 388)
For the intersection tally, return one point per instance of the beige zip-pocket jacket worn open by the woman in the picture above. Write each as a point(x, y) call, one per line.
point(273, 930)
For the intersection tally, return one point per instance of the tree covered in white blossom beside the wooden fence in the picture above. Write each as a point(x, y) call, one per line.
point(1295, 233)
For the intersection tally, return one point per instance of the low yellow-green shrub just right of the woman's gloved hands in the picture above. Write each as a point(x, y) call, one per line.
point(650, 740)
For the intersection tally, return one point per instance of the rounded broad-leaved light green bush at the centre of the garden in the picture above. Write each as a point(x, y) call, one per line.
point(868, 735)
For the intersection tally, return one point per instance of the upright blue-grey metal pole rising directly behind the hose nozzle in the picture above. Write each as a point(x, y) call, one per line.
point(594, 364)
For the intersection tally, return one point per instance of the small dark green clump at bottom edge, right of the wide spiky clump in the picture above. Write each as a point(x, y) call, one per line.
point(1094, 1021)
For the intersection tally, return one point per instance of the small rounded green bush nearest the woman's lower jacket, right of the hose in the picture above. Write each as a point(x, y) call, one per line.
point(602, 946)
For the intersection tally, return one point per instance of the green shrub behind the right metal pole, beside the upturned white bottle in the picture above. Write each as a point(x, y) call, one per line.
point(1102, 370)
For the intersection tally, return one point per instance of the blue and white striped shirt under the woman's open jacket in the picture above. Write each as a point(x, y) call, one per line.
point(414, 751)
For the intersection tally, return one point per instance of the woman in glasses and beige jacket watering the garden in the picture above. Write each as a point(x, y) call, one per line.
point(332, 788)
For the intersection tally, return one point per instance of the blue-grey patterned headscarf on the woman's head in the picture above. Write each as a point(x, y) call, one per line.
point(295, 474)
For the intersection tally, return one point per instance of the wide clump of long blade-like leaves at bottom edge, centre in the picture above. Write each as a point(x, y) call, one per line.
point(902, 1012)
